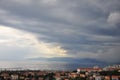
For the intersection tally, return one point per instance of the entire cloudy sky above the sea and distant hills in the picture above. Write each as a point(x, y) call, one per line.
point(60, 28)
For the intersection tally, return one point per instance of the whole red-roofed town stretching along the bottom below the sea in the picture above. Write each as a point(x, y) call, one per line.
point(95, 73)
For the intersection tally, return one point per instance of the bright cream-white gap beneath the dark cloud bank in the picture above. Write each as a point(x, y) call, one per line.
point(15, 43)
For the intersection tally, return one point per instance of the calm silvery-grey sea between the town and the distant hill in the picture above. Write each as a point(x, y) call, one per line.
point(38, 65)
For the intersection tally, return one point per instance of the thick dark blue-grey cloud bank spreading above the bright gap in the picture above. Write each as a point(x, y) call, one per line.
point(82, 27)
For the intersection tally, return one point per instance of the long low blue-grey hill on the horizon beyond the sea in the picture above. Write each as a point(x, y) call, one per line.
point(69, 59)
